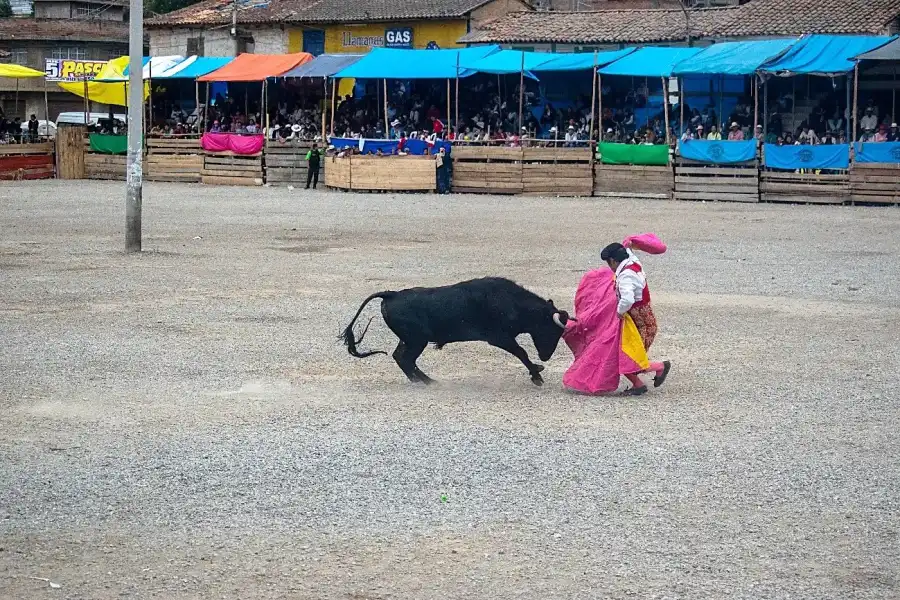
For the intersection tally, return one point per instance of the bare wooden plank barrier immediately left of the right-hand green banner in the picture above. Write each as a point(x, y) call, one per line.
point(557, 171)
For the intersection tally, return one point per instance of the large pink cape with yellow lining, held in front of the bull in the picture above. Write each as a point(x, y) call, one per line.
point(596, 338)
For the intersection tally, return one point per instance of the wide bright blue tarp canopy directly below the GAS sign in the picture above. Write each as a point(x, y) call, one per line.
point(391, 63)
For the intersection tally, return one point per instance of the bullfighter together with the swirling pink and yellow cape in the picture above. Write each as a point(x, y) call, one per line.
point(616, 325)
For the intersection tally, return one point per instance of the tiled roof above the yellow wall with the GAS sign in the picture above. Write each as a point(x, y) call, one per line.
point(218, 12)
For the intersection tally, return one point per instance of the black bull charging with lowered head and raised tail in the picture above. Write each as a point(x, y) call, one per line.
point(491, 310)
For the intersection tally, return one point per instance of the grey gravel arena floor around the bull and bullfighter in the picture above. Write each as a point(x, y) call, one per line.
point(184, 423)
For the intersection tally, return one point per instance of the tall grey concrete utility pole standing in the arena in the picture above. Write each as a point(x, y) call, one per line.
point(135, 172)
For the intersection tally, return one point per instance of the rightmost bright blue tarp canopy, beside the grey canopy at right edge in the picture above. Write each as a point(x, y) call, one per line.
point(824, 55)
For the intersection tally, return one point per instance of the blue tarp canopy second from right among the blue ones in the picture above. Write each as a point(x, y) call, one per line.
point(733, 58)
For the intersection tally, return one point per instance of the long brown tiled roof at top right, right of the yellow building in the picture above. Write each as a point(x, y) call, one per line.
point(755, 18)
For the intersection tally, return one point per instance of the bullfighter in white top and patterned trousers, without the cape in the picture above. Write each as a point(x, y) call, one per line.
point(634, 301)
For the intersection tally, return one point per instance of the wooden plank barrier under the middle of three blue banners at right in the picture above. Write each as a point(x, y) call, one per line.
point(804, 188)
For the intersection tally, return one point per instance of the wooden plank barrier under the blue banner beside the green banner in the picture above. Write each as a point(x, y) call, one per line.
point(738, 182)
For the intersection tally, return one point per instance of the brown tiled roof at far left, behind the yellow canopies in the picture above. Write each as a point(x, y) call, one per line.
point(14, 29)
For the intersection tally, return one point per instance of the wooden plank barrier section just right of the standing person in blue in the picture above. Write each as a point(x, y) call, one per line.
point(487, 170)
